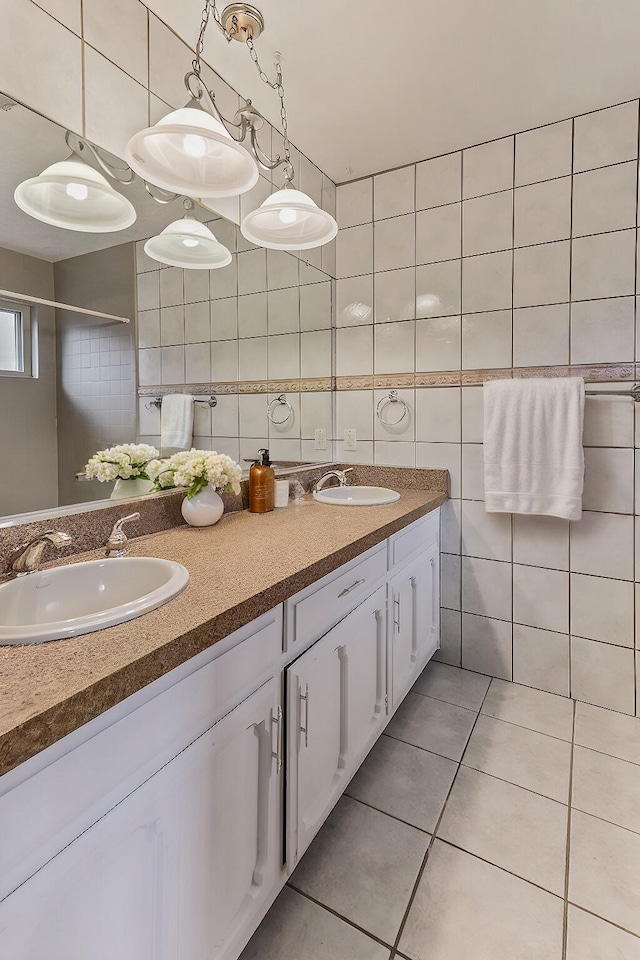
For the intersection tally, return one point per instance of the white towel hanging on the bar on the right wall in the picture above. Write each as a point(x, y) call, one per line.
point(533, 454)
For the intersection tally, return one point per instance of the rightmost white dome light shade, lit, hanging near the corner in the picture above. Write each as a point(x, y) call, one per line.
point(289, 220)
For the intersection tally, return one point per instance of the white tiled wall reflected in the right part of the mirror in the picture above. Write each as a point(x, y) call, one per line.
point(199, 327)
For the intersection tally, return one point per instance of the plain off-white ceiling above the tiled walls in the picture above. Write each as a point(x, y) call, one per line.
point(378, 85)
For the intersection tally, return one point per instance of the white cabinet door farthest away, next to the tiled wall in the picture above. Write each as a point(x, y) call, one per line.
point(414, 615)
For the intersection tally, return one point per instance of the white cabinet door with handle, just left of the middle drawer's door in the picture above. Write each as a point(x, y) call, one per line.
point(230, 826)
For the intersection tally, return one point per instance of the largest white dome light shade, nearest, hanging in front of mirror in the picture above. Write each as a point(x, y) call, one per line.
point(191, 153)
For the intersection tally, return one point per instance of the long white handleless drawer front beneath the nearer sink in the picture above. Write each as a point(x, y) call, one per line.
point(43, 813)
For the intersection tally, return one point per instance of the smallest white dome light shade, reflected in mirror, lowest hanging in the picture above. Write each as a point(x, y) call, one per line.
point(190, 244)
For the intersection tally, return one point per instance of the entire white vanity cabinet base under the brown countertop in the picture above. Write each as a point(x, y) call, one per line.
point(166, 827)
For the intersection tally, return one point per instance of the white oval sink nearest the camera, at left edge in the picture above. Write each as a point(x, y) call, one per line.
point(82, 597)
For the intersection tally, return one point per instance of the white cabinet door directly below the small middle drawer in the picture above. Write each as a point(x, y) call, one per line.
point(337, 704)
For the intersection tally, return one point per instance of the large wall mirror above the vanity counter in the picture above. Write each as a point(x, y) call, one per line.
point(72, 383)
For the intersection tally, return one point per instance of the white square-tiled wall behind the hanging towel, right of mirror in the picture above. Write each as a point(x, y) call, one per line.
point(521, 260)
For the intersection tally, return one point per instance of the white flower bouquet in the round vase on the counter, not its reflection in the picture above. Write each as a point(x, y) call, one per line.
point(196, 469)
